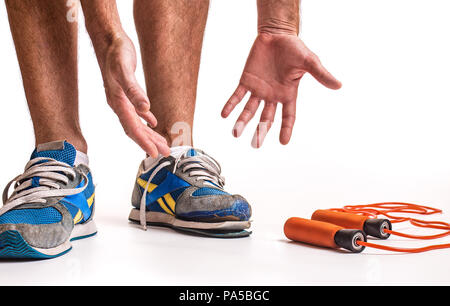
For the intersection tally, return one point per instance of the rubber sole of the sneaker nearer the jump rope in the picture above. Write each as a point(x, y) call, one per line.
point(225, 229)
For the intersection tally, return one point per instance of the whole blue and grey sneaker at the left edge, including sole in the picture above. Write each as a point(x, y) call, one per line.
point(51, 205)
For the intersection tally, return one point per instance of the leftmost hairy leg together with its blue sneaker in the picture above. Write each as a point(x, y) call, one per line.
point(53, 200)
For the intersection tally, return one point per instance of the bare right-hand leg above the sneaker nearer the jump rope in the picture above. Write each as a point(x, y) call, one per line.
point(171, 36)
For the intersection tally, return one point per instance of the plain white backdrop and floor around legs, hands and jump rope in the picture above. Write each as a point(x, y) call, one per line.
point(383, 137)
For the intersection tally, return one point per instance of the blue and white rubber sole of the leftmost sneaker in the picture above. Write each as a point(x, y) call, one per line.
point(14, 246)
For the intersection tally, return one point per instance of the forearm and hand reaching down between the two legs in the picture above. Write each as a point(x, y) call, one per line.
point(117, 60)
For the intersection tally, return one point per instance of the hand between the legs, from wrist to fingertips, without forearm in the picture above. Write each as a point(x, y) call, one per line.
point(128, 99)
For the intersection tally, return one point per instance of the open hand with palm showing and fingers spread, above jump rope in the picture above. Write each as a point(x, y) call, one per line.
point(272, 73)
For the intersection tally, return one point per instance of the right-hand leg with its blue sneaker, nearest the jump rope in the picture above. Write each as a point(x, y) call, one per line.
point(171, 36)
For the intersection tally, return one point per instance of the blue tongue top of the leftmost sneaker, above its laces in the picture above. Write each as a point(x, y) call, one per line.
point(59, 150)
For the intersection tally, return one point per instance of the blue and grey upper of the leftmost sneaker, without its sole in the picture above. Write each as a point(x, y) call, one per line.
point(49, 198)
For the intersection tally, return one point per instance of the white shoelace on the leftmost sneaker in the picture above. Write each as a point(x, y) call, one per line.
point(50, 172)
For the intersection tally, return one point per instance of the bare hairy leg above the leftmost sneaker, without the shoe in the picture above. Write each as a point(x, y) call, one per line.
point(46, 46)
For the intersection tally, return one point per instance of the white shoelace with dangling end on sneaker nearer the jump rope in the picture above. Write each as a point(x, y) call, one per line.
point(202, 167)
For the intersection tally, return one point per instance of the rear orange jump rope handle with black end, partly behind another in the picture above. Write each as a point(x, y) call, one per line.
point(372, 227)
